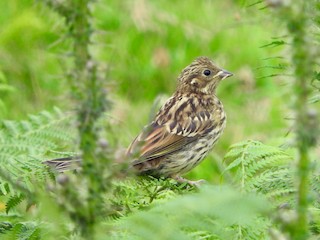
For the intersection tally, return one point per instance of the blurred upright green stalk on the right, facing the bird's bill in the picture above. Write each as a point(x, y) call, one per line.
point(296, 14)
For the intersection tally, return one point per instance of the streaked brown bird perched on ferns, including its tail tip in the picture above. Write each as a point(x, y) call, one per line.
point(183, 131)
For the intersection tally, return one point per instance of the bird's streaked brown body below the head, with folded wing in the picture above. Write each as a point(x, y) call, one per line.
point(184, 131)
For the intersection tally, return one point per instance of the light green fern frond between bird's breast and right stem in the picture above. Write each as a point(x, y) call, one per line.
point(260, 168)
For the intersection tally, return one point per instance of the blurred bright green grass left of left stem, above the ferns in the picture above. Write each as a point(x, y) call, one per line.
point(29, 68)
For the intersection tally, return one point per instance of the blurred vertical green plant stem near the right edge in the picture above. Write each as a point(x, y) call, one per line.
point(301, 59)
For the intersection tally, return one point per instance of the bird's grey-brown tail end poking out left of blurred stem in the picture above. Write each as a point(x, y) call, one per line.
point(65, 164)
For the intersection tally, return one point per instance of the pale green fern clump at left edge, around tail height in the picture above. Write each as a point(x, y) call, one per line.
point(24, 145)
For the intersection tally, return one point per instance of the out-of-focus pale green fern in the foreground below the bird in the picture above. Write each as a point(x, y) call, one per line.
point(213, 213)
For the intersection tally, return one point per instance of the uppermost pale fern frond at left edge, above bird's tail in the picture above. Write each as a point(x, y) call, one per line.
point(37, 134)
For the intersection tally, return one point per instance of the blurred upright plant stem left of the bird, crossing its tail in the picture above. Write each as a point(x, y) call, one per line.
point(92, 105)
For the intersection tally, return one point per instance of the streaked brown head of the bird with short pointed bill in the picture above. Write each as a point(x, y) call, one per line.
point(201, 76)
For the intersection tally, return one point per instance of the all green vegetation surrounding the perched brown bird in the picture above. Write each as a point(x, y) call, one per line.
point(82, 76)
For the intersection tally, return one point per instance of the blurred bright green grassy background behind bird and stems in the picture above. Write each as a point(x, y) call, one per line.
point(142, 46)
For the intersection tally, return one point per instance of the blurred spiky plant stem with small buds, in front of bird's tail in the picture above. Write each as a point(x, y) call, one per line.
point(90, 99)
